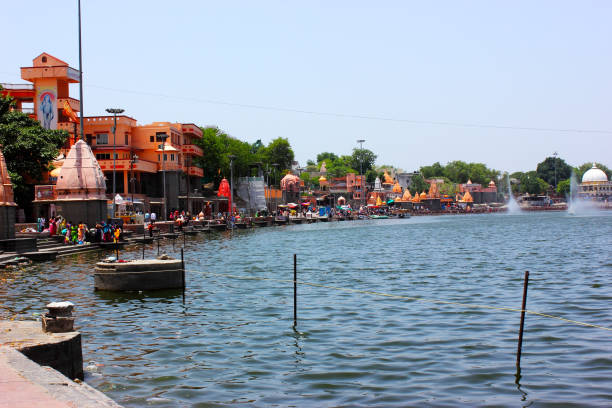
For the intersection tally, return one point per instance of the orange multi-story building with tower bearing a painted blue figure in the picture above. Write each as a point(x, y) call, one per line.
point(135, 159)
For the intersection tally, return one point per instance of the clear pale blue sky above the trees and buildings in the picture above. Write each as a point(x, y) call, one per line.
point(502, 83)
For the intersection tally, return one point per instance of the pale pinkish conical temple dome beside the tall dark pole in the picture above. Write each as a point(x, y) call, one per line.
point(80, 177)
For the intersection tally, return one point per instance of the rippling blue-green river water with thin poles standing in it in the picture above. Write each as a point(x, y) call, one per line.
point(232, 340)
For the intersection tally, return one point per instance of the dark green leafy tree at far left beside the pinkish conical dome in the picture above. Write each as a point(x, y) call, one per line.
point(28, 150)
